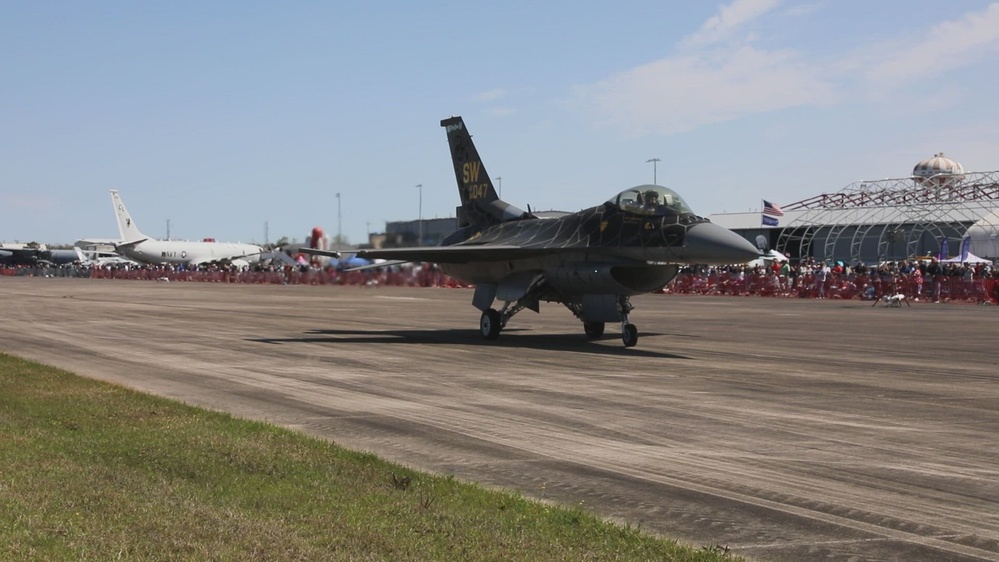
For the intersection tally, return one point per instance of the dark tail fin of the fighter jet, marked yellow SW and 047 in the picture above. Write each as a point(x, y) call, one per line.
point(480, 205)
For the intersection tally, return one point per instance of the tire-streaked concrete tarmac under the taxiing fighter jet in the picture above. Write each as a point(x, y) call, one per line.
point(784, 429)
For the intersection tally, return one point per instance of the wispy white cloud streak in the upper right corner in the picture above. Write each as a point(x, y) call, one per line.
point(947, 46)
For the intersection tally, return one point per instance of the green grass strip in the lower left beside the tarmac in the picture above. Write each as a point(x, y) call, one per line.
point(93, 471)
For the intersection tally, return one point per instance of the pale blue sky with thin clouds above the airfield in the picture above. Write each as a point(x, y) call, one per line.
point(222, 117)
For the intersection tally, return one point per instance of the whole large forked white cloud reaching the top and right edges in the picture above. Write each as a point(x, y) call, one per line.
point(719, 75)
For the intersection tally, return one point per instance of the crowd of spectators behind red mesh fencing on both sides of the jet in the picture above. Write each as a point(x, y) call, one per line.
point(916, 280)
